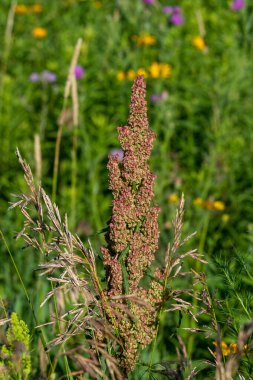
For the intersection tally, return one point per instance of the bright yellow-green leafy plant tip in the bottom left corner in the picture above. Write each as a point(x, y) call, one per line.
point(15, 354)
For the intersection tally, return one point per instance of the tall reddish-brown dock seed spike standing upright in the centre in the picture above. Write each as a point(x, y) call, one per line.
point(133, 228)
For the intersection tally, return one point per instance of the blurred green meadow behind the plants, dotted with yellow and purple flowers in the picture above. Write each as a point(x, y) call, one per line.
point(198, 64)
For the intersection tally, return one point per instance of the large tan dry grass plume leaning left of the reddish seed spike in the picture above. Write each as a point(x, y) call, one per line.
point(68, 264)
